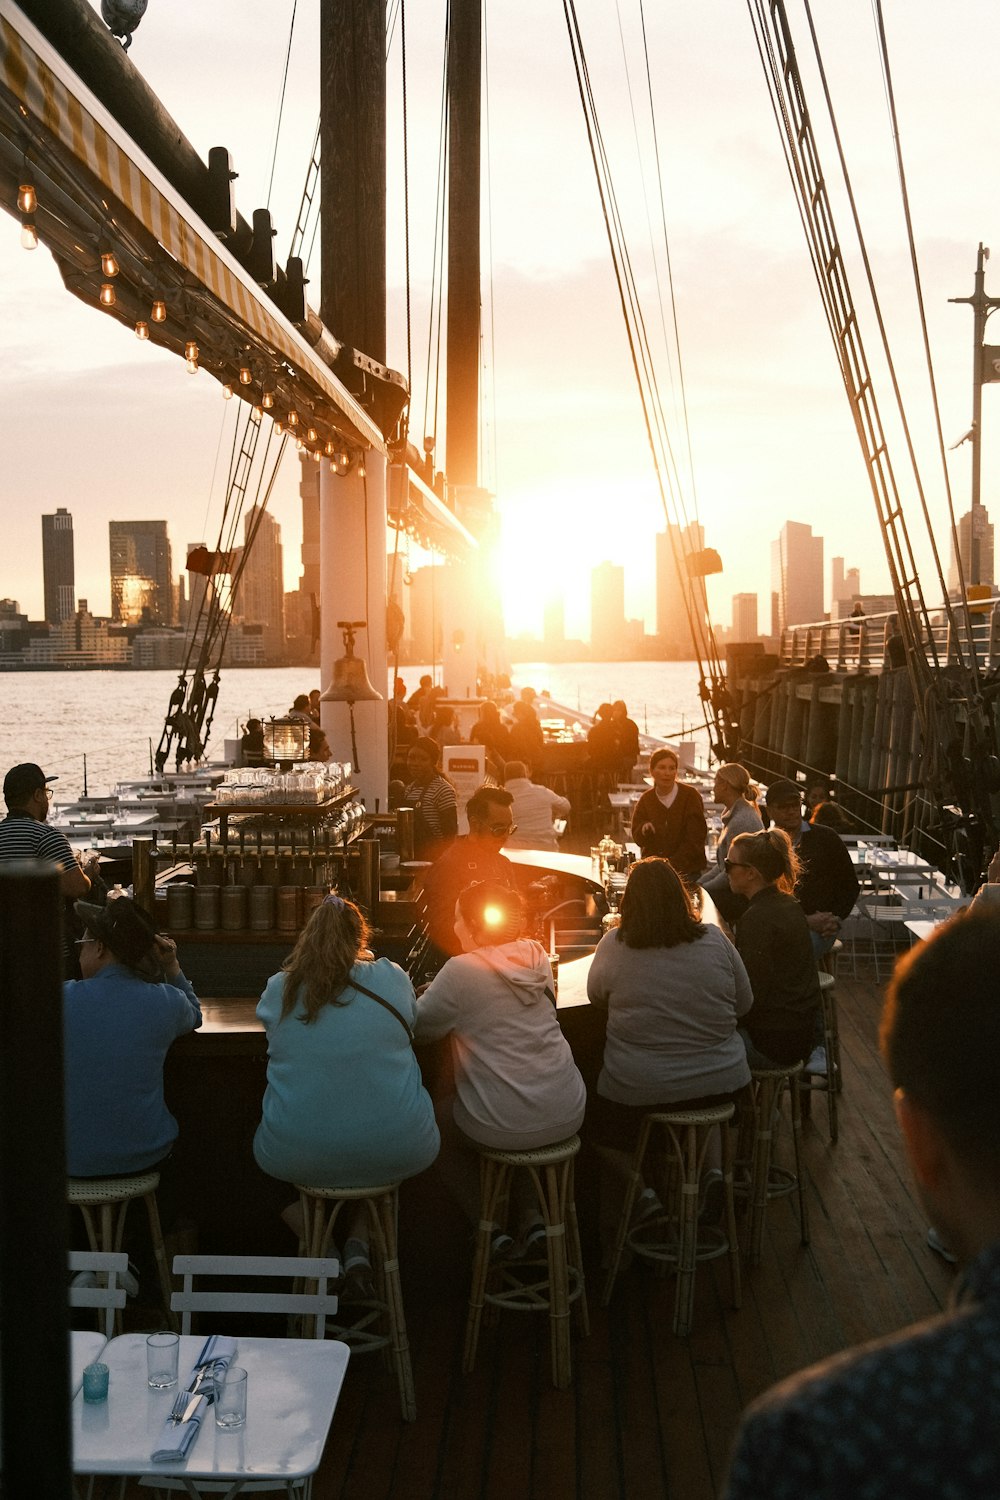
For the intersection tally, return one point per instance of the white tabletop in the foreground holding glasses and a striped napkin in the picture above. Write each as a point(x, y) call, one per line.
point(293, 1390)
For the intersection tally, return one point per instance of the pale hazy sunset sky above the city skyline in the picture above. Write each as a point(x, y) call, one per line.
point(110, 428)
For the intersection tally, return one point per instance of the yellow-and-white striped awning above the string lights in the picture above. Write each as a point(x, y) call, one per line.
point(52, 113)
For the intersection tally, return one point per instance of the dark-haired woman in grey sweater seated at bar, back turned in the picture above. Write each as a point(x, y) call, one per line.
point(674, 991)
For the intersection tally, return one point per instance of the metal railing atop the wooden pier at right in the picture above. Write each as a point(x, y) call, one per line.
point(861, 643)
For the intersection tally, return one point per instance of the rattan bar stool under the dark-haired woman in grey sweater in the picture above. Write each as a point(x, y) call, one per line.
point(684, 1144)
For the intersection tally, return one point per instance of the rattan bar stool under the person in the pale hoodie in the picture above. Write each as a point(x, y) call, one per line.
point(531, 1286)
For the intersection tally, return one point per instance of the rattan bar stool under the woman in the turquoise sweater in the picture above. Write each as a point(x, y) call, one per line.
point(322, 1208)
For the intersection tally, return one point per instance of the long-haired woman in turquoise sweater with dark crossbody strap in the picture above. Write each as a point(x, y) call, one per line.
point(346, 1105)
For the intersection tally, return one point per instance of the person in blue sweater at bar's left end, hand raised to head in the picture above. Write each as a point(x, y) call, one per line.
point(119, 1024)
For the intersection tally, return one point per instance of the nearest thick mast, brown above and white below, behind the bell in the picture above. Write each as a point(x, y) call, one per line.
point(353, 524)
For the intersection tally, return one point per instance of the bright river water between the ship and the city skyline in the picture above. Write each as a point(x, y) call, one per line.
point(115, 719)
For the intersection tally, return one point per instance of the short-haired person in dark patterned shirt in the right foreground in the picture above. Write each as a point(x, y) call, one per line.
point(915, 1417)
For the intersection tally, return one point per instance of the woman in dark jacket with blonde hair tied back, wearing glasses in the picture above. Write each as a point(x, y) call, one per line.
point(773, 938)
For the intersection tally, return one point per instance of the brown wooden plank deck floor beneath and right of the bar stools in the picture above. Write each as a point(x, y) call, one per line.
point(650, 1415)
